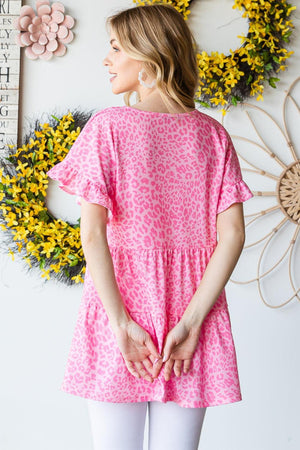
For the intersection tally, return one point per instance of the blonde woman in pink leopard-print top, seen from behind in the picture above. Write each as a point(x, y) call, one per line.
point(157, 181)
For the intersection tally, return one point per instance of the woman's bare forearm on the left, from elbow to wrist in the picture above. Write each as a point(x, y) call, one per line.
point(100, 265)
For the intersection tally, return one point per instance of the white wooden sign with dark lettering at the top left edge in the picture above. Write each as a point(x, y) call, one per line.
point(9, 73)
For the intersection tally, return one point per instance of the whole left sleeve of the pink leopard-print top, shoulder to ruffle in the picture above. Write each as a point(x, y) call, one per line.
point(88, 170)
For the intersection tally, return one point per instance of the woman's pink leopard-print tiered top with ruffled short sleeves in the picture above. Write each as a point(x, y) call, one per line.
point(164, 178)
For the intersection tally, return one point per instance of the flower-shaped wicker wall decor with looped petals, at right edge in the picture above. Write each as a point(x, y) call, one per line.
point(286, 195)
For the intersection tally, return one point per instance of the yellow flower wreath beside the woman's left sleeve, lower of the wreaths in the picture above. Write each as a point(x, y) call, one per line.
point(44, 241)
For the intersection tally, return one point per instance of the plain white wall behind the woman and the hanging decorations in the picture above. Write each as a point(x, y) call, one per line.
point(37, 320)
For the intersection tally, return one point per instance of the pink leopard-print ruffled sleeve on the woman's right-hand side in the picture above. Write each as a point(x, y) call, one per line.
point(233, 188)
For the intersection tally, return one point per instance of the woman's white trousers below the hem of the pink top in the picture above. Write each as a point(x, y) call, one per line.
point(120, 426)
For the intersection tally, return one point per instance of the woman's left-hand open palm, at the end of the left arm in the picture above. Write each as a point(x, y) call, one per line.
point(138, 350)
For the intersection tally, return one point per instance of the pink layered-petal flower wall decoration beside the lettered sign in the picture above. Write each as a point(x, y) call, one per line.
point(44, 34)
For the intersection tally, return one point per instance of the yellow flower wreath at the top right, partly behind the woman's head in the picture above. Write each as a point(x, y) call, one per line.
point(226, 80)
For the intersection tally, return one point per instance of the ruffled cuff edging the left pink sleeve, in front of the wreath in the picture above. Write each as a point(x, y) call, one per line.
point(74, 183)
